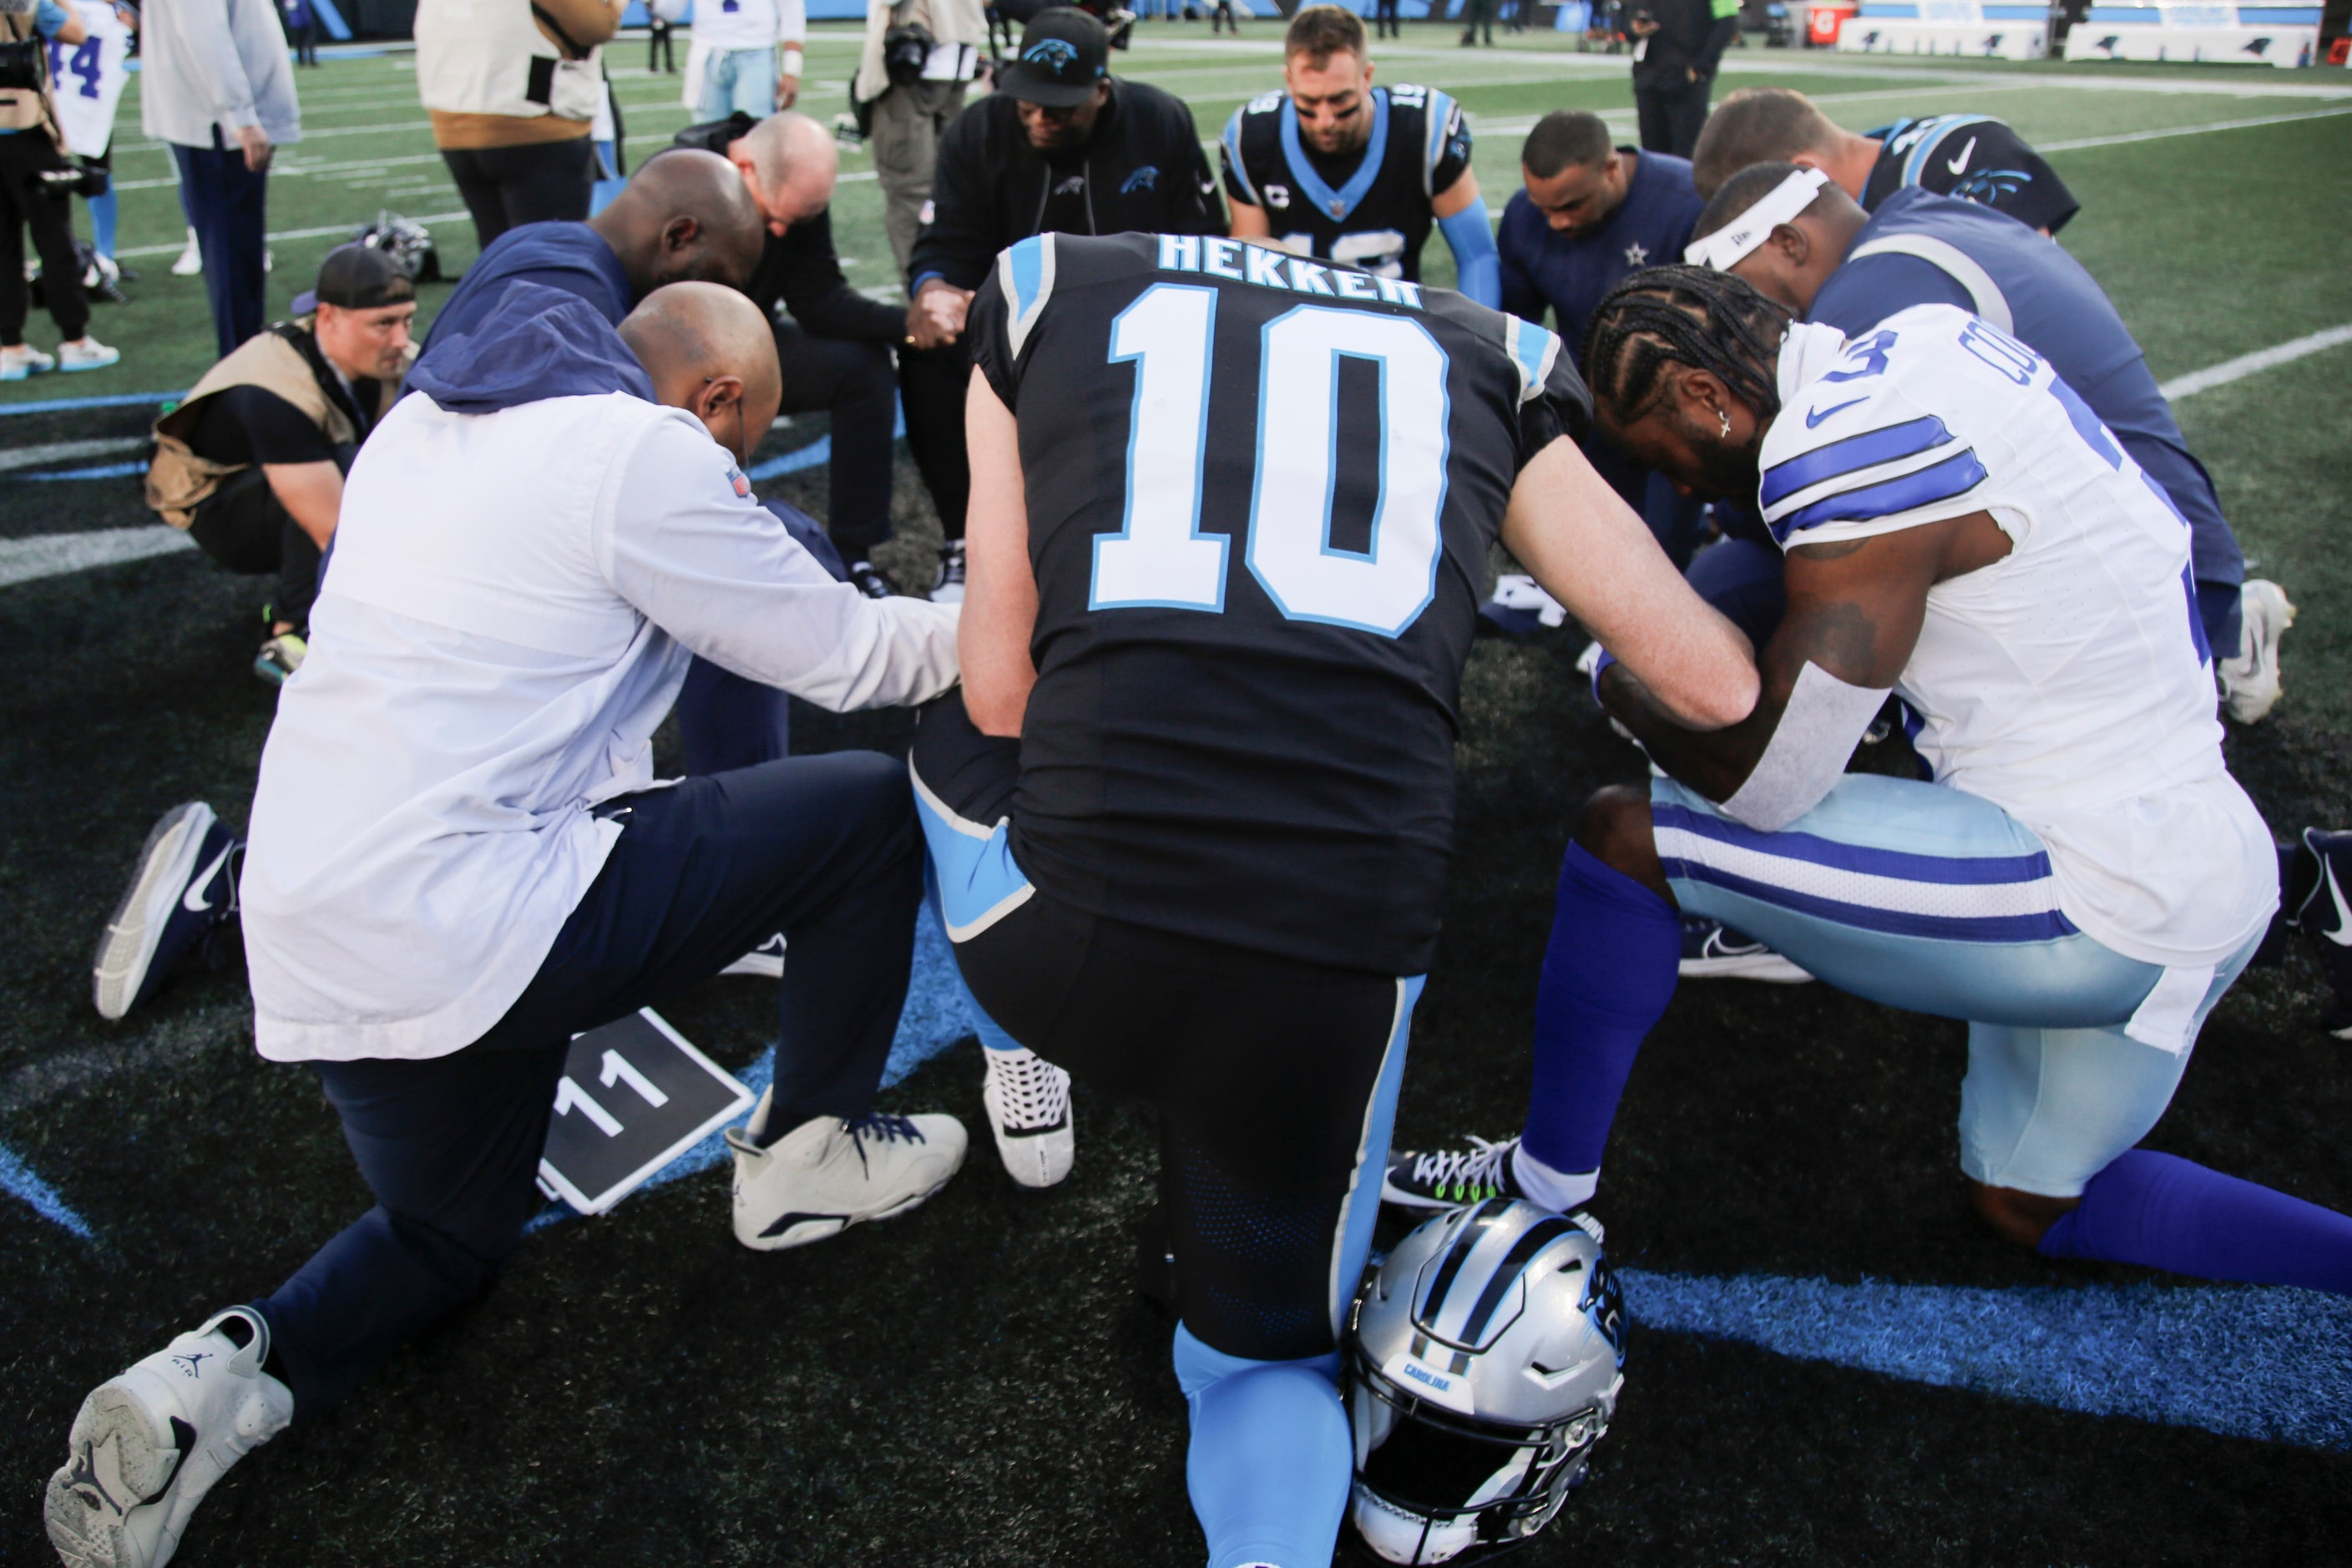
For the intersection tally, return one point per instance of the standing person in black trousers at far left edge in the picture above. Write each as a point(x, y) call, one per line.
point(36, 185)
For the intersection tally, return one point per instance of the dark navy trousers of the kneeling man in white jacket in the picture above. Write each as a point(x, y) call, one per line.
point(817, 847)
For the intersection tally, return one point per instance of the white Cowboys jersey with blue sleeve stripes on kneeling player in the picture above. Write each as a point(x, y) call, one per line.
point(2069, 683)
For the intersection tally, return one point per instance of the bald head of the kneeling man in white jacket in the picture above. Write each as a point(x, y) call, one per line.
point(709, 351)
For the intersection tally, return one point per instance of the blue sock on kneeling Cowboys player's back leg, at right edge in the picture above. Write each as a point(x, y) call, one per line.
point(2172, 1214)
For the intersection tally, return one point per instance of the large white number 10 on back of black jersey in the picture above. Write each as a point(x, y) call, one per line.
point(1163, 561)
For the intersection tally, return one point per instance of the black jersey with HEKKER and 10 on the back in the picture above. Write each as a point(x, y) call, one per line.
point(1262, 492)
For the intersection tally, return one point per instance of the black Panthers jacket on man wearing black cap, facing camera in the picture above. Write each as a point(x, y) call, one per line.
point(1144, 173)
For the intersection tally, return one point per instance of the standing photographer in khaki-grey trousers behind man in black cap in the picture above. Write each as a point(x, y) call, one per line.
point(921, 58)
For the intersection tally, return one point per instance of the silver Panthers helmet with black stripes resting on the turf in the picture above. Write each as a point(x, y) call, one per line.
point(1483, 1365)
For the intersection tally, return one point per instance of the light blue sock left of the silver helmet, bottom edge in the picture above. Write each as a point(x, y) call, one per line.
point(1271, 1456)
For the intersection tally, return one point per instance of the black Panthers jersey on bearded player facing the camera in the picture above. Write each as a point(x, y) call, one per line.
point(1368, 208)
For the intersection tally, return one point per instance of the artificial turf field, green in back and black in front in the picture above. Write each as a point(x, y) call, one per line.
point(977, 1383)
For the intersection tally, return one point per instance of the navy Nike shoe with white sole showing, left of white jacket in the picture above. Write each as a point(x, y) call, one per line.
point(182, 894)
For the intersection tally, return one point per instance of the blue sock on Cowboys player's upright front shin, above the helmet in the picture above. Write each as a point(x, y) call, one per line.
point(1608, 979)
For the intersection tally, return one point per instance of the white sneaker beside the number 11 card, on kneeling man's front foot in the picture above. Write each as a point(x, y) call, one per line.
point(829, 1174)
